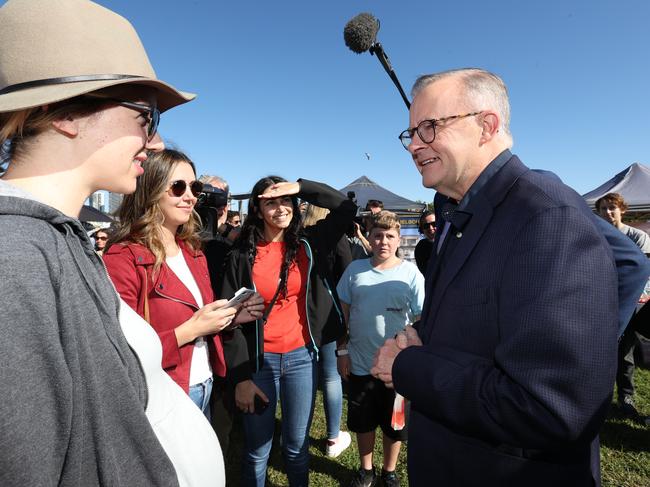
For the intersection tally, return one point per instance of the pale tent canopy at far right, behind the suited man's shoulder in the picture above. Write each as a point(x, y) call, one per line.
point(633, 183)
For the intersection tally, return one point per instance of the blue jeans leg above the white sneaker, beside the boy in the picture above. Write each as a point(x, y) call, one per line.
point(330, 381)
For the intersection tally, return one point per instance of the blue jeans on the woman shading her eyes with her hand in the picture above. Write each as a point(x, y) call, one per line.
point(290, 377)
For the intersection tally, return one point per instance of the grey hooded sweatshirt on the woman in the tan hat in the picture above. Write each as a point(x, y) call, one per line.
point(73, 395)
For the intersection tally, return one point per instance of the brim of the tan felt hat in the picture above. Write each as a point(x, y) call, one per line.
point(167, 96)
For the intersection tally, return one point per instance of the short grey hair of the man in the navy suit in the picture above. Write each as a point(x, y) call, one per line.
point(483, 91)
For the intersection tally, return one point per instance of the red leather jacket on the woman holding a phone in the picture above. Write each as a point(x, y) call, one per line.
point(130, 266)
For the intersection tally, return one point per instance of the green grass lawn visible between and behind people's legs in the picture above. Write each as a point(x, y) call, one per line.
point(625, 450)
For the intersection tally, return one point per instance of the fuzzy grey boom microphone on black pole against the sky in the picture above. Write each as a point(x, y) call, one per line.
point(360, 35)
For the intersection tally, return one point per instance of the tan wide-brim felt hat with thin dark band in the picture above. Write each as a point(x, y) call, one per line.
point(53, 50)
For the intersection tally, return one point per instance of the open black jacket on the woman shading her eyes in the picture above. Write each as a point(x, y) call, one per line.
point(244, 346)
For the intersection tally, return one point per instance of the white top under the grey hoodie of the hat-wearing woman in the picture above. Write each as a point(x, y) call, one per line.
point(183, 431)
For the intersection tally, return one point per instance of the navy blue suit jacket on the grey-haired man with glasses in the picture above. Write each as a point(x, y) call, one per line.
point(516, 372)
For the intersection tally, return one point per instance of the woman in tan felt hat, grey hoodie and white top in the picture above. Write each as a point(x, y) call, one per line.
point(85, 400)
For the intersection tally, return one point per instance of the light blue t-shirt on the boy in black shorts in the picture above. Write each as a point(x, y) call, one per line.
point(381, 303)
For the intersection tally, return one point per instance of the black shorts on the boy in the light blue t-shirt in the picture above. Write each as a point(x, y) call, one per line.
point(370, 404)
